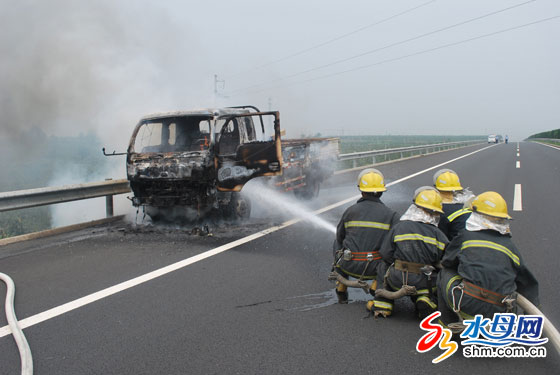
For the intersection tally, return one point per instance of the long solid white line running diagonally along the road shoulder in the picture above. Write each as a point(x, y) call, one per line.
point(80, 302)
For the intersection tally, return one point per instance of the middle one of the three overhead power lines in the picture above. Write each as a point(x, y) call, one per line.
point(384, 47)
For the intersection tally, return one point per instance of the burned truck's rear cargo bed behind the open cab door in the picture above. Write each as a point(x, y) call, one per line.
point(307, 163)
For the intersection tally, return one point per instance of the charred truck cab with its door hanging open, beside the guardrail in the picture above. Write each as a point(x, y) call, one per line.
point(188, 164)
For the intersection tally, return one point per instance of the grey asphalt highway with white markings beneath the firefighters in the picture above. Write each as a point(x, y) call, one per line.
point(263, 304)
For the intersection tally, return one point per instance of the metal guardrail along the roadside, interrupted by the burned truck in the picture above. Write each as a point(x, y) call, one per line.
point(15, 200)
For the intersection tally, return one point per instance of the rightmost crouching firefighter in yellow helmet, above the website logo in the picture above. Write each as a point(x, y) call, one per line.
point(483, 269)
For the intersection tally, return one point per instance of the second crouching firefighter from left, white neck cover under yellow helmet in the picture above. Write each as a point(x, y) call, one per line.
point(411, 252)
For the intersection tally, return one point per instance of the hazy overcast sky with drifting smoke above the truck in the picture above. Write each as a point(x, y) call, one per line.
point(69, 66)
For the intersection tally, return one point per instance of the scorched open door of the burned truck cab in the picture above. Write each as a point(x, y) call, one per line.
point(244, 152)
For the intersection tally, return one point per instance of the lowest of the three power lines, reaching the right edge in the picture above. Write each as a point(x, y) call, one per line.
point(411, 54)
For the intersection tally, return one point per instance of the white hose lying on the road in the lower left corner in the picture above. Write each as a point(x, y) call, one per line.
point(21, 341)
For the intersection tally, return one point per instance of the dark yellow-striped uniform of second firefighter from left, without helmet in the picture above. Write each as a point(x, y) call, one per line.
point(409, 246)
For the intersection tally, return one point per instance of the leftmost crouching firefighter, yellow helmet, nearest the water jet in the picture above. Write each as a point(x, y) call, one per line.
point(361, 231)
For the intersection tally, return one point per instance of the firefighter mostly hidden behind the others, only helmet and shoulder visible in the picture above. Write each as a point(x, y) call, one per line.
point(454, 198)
